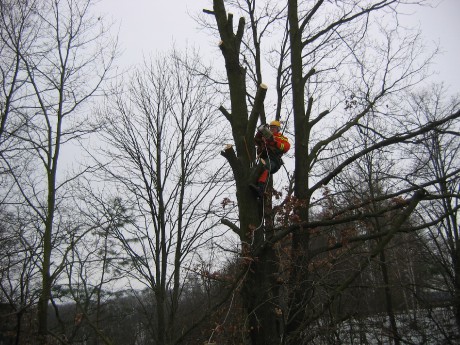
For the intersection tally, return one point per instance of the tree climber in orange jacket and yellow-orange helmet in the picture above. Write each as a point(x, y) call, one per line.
point(271, 145)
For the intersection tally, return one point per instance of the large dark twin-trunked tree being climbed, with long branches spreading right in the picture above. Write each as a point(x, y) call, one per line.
point(340, 63)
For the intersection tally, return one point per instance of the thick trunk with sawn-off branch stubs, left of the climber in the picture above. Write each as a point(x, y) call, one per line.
point(259, 294)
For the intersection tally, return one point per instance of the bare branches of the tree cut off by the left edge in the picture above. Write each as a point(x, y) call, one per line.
point(17, 33)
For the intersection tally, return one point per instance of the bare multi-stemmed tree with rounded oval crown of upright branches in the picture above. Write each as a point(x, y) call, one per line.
point(161, 141)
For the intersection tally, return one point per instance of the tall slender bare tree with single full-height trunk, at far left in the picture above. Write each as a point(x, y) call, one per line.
point(62, 70)
